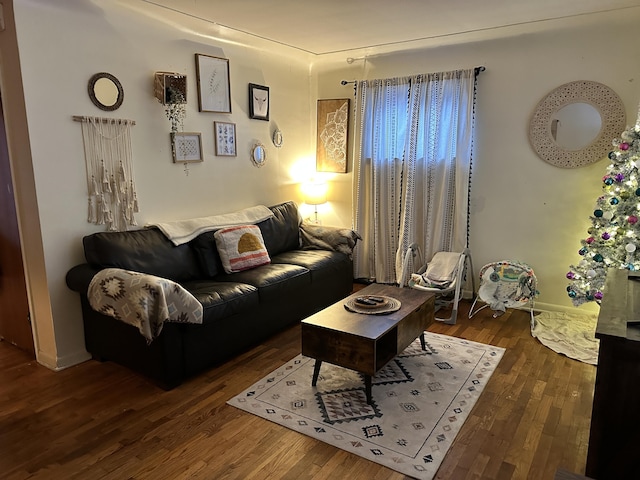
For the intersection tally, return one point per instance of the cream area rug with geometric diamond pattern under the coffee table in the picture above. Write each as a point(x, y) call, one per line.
point(420, 401)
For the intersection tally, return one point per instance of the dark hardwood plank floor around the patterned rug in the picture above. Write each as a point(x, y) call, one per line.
point(99, 421)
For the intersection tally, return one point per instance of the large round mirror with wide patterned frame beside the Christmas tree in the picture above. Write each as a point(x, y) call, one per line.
point(574, 125)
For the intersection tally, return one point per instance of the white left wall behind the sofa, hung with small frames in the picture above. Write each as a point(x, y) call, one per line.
point(62, 44)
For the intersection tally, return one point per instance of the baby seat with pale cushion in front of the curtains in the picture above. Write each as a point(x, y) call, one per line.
point(444, 276)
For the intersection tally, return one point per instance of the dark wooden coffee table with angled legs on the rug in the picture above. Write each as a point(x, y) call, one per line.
point(366, 343)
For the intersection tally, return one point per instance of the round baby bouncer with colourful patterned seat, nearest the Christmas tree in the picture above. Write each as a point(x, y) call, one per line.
point(506, 284)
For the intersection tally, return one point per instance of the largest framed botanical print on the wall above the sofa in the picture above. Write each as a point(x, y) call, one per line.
point(214, 86)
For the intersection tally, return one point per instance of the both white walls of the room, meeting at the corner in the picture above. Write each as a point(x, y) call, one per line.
point(522, 208)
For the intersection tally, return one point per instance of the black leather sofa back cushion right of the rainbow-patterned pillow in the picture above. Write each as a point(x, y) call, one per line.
point(282, 231)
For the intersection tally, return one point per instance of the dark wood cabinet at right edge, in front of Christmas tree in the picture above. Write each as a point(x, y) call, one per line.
point(615, 420)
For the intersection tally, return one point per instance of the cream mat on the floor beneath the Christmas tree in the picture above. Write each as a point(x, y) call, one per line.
point(571, 334)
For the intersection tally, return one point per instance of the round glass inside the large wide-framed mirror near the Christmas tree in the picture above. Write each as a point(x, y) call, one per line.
point(575, 126)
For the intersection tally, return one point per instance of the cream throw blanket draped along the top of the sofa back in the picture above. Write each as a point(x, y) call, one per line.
point(186, 230)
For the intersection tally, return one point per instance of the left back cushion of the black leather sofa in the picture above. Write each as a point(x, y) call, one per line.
point(147, 251)
